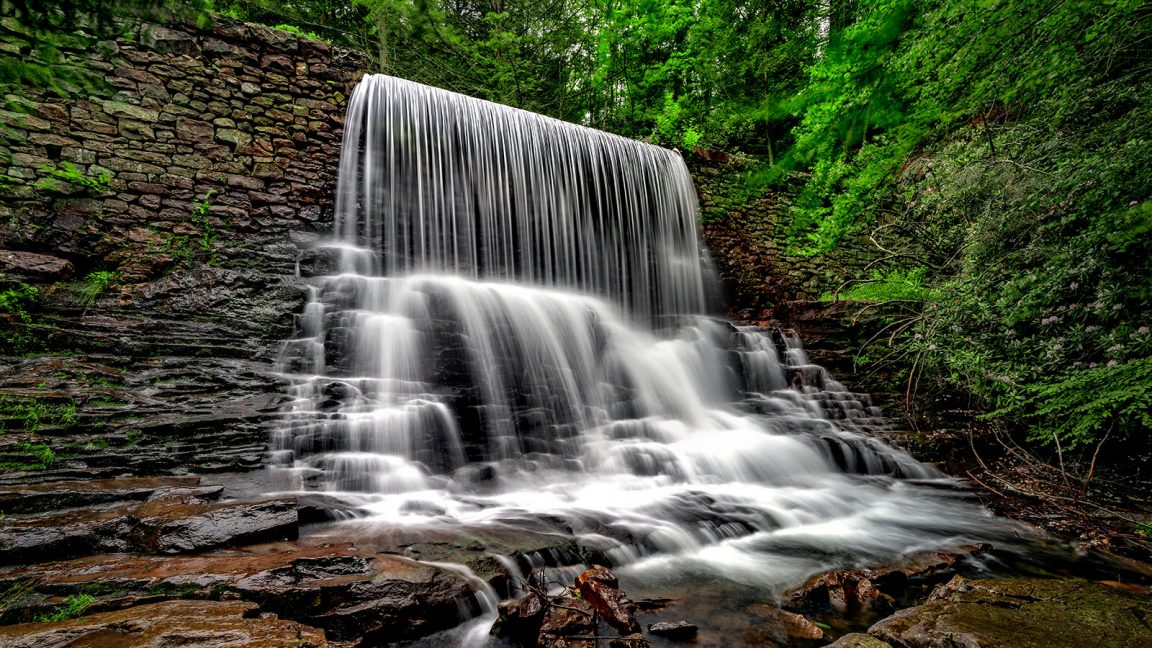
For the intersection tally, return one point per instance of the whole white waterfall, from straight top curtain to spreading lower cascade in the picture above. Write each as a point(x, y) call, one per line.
point(518, 340)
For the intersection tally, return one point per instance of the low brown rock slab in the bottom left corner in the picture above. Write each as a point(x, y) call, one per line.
point(170, 623)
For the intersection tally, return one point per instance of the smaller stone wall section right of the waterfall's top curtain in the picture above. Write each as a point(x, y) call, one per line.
point(747, 235)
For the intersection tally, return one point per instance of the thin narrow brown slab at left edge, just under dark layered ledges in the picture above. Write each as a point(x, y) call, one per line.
point(52, 496)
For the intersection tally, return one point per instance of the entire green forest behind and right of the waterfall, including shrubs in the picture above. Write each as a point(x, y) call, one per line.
point(996, 153)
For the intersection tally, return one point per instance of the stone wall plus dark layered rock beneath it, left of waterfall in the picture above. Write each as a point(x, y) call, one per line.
point(157, 200)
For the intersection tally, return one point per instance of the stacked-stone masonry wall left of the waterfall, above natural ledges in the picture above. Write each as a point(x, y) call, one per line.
point(221, 147)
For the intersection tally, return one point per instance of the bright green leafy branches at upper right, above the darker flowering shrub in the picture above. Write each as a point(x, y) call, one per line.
point(908, 72)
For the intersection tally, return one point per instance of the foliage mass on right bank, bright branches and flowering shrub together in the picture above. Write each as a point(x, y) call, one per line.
point(1005, 152)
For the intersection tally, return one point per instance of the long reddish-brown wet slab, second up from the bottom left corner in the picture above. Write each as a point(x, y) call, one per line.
point(348, 592)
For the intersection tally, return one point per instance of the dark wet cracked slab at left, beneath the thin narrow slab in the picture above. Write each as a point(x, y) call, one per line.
point(165, 526)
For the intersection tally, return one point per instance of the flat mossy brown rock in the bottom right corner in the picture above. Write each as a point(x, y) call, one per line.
point(1021, 613)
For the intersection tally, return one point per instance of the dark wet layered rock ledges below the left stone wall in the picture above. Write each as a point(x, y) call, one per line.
point(148, 417)
